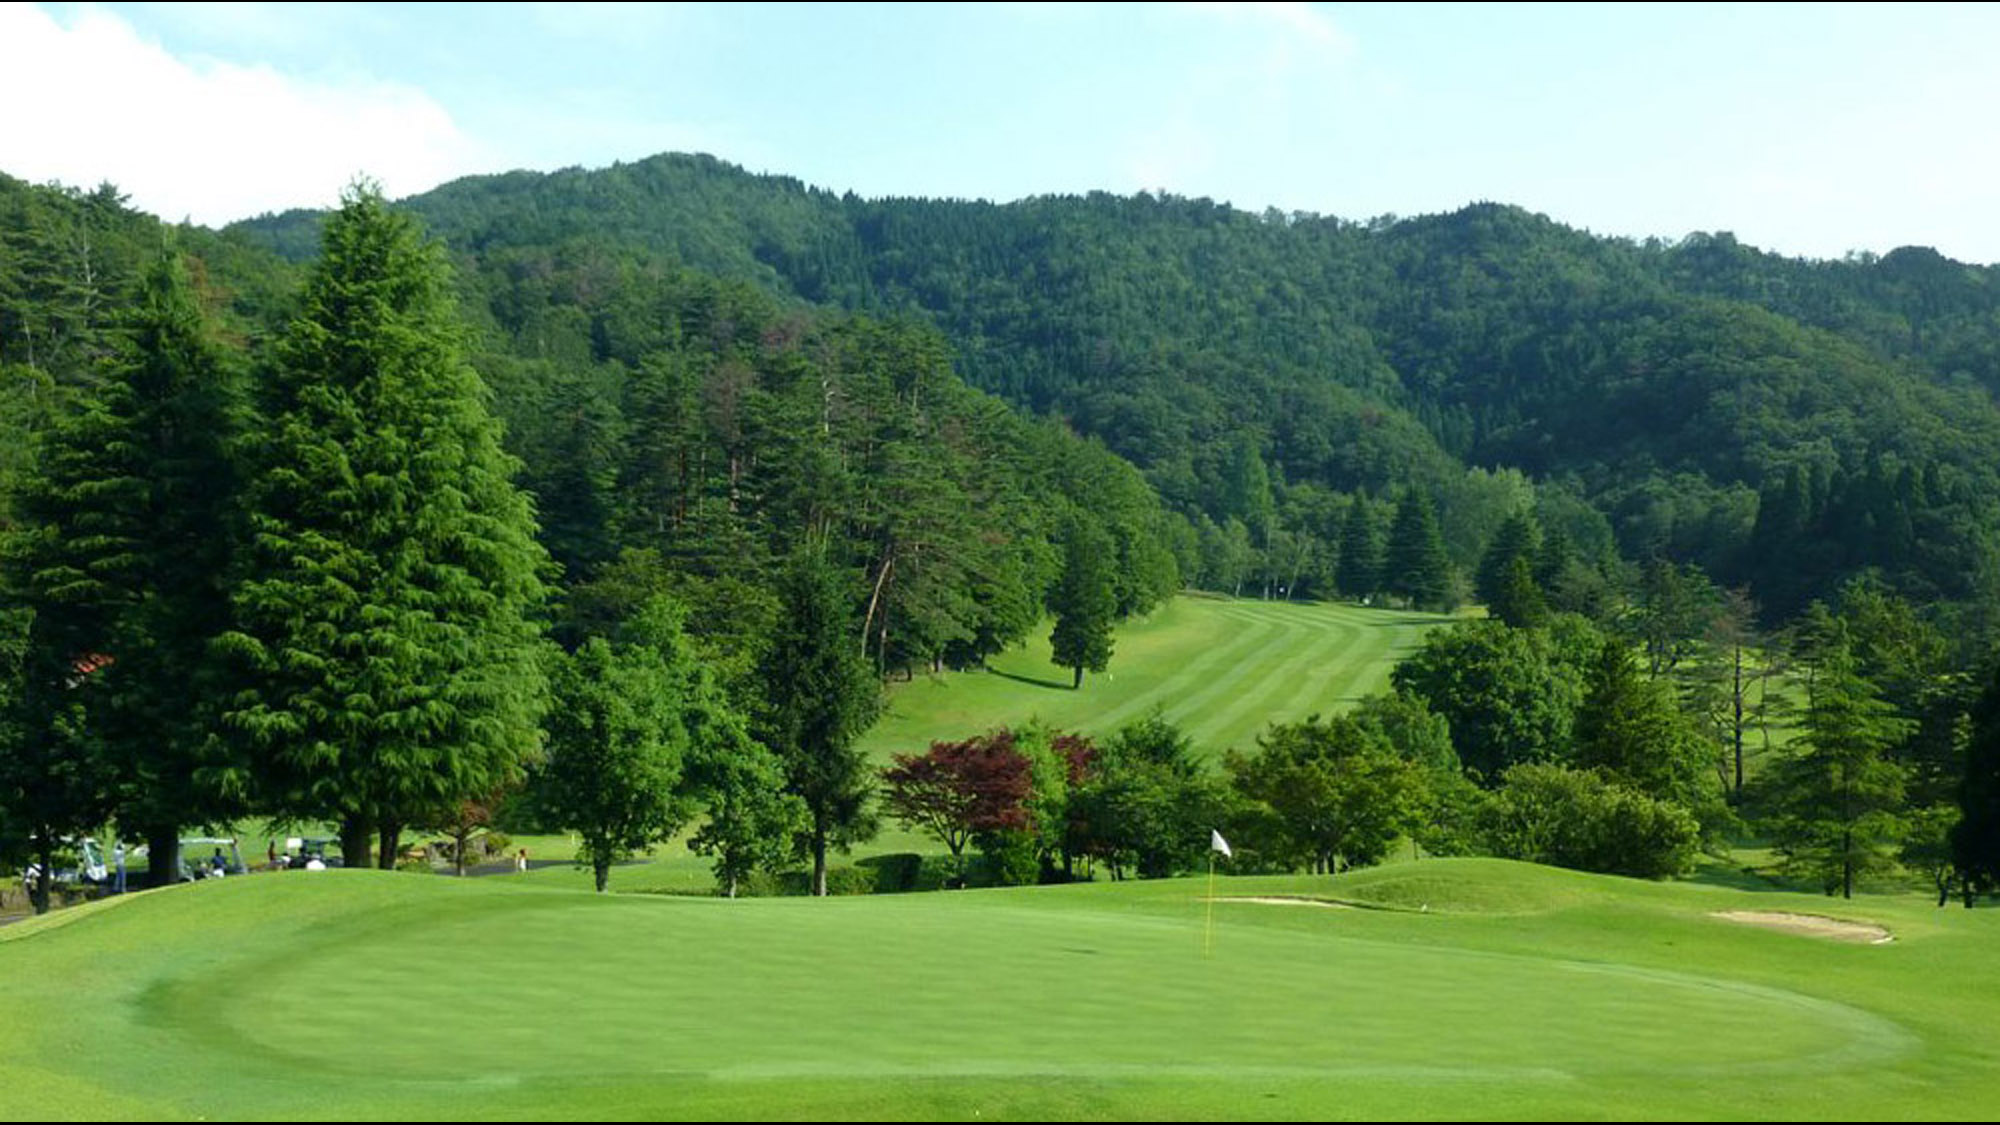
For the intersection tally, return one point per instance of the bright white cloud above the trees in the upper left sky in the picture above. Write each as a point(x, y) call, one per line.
point(91, 101)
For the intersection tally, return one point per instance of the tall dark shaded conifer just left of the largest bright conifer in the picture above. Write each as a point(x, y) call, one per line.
point(123, 568)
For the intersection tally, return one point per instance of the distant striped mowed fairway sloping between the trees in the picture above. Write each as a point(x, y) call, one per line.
point(1221, 670)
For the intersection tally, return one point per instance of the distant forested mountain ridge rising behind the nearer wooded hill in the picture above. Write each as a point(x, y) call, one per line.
point(1783, 423)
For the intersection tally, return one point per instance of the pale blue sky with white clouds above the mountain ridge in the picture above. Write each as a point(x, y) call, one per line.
point(1811, 131)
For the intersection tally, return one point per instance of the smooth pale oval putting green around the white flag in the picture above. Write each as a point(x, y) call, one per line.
point(923, 986)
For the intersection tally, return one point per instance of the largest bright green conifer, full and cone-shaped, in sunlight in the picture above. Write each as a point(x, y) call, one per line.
point(387, 604)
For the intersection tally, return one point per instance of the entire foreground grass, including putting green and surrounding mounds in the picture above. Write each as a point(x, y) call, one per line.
point(1477, 988)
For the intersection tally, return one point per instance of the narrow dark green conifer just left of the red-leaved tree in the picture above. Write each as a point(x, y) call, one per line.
point(819, 700)
